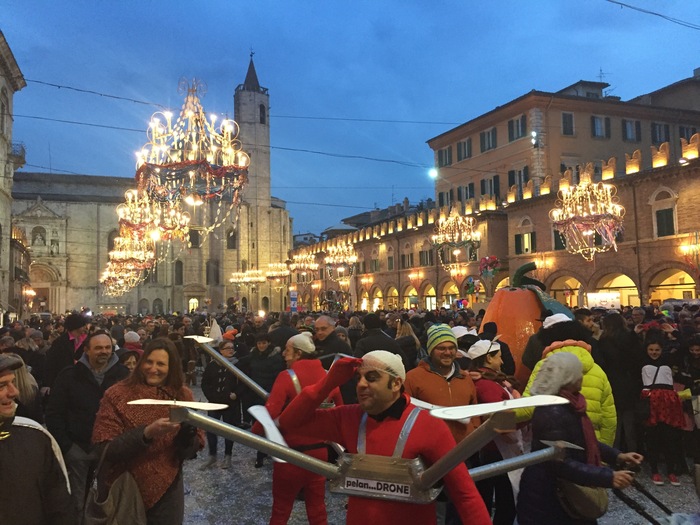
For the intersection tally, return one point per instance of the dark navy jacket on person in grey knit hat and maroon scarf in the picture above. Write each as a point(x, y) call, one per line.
point(537, 502)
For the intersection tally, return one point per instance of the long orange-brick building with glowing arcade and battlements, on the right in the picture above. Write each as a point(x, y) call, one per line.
point(504, 169)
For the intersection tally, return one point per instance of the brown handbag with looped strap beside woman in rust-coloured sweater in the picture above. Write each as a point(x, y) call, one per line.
point(121, 504)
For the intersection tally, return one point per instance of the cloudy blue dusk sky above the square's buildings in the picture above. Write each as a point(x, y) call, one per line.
point(356, 88)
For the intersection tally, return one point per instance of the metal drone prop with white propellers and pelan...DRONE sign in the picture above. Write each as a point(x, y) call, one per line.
point(361, 474)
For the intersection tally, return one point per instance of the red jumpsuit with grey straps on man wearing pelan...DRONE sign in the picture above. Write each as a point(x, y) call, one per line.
point(429, 438)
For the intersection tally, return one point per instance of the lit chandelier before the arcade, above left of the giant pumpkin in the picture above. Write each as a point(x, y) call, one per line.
point(456, 240)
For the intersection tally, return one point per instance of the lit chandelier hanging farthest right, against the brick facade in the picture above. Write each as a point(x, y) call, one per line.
point(587, 216)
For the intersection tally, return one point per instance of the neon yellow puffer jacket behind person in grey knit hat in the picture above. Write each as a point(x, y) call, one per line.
point(600, 404)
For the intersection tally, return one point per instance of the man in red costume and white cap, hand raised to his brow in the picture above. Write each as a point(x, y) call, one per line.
point(373, 426)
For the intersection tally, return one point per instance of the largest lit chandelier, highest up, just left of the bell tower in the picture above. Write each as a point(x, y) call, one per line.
point(194, 159)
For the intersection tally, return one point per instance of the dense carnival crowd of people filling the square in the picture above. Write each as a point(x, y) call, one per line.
point(632, 378)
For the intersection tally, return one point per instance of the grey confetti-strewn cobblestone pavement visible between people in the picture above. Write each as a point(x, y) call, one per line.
point(242, 495)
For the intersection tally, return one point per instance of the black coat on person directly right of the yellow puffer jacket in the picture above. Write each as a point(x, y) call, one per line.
point(621, 360)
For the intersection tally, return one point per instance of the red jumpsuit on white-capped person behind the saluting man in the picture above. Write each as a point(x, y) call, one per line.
point(287, 479)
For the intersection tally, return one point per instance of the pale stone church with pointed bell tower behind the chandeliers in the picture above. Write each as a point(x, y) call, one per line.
point(69, 223)
